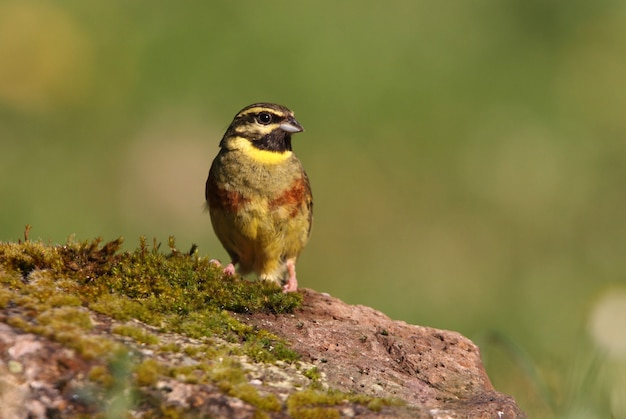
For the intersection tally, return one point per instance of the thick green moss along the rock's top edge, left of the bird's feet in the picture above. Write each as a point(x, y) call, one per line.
point(177, 292)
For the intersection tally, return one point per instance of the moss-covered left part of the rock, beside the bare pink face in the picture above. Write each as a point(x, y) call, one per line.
point(148, 331)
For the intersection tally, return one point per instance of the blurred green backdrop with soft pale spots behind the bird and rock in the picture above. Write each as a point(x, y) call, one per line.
point(468, 159)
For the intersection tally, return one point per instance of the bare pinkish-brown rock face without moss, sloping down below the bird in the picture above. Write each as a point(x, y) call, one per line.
point(437, 372)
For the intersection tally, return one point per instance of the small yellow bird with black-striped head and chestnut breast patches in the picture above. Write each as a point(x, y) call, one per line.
point(259, 196)
